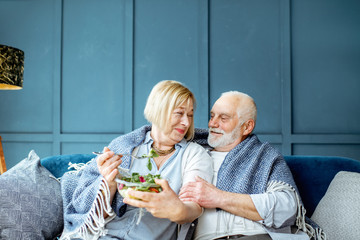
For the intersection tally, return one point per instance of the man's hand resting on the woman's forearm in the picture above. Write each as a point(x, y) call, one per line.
point(201, 192)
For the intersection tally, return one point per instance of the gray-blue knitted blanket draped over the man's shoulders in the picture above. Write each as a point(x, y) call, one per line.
point(250, 167)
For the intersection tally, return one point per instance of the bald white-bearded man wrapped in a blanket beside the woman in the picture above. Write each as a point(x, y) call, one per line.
point(253, 194)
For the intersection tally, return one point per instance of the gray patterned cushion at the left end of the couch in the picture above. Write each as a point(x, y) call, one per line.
point(30, 202)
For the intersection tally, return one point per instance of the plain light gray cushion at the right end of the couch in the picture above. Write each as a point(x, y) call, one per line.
point(338, 211)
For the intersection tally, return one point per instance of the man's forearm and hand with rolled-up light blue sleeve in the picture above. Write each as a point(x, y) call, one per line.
point(274, 208)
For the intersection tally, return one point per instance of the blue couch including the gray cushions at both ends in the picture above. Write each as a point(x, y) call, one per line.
point(329, 188)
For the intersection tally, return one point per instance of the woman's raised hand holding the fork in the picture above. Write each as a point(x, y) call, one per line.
point(107, 164)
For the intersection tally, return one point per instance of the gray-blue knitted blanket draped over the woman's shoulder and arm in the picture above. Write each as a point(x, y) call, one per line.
point(80, 189)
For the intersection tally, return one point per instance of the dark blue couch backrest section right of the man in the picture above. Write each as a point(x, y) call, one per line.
point(313, 175)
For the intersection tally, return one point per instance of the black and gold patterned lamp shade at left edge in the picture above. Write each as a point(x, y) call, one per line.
point(11, 68)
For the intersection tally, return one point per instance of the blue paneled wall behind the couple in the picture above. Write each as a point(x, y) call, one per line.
point(90, 64)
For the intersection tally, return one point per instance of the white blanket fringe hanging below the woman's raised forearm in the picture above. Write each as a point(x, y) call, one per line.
point(94, 225)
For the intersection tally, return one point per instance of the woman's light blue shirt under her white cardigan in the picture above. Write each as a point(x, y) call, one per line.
point(149, 227)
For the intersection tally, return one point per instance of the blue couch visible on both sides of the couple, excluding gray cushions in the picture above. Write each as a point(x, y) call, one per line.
point(312, 174)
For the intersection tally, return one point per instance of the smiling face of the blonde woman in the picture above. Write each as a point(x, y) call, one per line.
point(180, 121)
